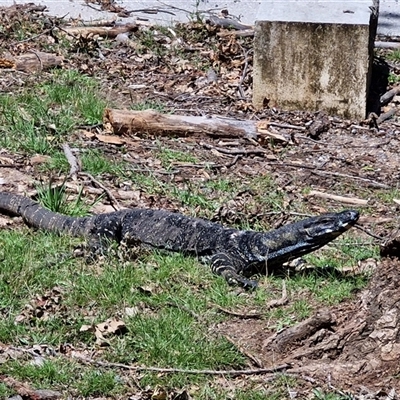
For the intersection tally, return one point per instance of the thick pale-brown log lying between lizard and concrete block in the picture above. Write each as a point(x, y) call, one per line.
point(149, 122)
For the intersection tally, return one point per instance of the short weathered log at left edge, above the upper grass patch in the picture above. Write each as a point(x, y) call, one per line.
point(31, 62)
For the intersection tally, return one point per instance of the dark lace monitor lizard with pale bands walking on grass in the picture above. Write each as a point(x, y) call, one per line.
point(234, 254)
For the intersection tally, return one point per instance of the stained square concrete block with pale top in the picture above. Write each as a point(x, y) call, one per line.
point(314, 55)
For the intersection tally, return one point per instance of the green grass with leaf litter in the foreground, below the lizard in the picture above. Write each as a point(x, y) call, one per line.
point(163, 332)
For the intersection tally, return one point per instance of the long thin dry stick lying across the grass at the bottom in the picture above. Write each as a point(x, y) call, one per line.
point(232, 372)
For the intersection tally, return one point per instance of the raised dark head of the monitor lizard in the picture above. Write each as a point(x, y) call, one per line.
point(325, 228)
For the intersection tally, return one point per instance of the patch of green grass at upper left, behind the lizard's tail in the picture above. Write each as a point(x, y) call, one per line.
point(36, 121)
